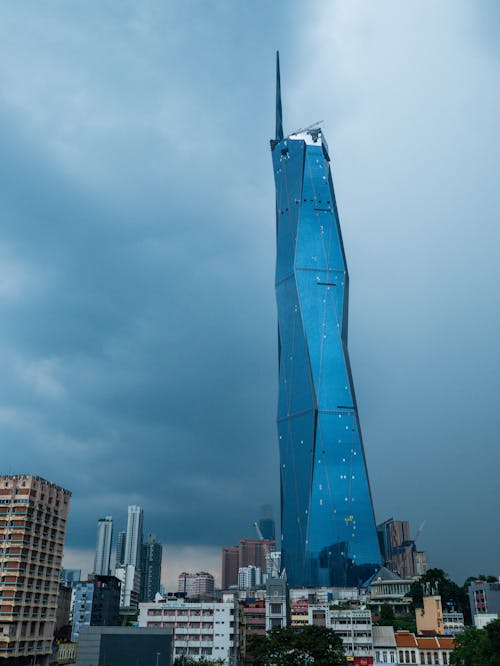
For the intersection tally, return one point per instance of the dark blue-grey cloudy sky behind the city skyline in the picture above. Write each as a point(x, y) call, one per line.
point(137, 248)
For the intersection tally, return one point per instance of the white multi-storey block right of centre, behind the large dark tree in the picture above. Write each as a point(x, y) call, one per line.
point(353, 626)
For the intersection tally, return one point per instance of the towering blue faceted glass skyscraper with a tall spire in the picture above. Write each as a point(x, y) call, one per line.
point(327, 520)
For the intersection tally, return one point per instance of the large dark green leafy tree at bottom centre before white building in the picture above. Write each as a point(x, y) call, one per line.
point(287, 647)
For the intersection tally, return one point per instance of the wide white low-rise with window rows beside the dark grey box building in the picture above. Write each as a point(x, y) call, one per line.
point(210, 630)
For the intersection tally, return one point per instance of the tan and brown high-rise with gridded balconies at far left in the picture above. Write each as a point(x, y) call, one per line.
point(33, 514)
